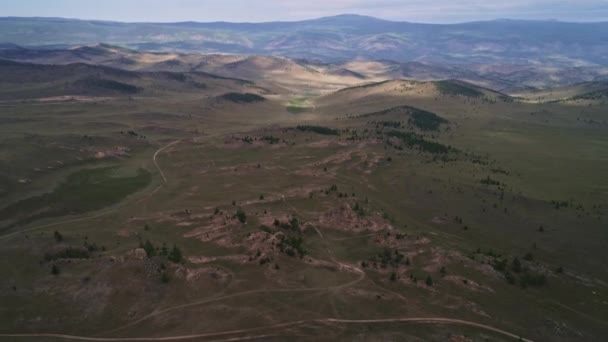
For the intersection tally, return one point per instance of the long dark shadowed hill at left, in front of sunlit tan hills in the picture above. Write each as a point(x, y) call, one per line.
point(39, 81)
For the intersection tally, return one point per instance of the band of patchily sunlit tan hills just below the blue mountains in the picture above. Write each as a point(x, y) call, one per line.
point(289, 73)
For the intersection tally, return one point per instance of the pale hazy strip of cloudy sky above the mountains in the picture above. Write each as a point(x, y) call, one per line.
point(436, 11)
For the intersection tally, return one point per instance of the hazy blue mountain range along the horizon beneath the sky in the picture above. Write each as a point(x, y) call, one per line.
point(339, 38)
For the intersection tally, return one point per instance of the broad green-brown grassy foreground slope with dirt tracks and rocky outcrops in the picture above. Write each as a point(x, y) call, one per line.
point(390, 210)
